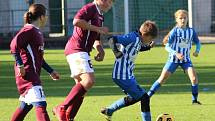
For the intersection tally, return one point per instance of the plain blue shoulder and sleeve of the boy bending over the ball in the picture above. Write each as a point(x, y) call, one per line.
point(126, 39)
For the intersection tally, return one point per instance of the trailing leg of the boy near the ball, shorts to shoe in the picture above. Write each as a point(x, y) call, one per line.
point(134, 92)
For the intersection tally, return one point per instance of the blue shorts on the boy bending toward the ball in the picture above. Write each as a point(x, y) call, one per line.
point(130, 87)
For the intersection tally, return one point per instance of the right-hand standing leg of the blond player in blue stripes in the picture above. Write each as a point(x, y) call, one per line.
point(194, 81)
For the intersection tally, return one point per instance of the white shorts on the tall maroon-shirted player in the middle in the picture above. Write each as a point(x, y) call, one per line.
point(79, 63)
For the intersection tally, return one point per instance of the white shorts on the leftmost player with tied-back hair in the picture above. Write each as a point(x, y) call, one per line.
point(35, 94)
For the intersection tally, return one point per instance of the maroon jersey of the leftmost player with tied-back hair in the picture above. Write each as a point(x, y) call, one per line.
point(29, 44)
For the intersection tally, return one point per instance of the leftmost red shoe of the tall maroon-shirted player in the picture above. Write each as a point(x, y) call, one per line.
point(60, 113)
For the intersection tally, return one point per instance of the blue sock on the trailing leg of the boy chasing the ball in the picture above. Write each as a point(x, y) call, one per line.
point(116, 106)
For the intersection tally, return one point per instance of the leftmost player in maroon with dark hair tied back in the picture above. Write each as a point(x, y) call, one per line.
point(28, 49)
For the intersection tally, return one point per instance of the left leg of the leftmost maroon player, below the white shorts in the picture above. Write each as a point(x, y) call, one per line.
point(21, 112)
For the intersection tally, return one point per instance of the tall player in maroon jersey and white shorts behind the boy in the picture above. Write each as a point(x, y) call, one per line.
point(88, 25)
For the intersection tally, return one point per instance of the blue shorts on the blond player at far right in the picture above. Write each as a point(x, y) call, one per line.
point(171, 66)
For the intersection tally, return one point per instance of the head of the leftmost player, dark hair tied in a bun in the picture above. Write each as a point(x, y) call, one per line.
point(35, 11)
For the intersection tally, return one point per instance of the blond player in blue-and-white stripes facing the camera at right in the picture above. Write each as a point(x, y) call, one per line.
point(178, 44)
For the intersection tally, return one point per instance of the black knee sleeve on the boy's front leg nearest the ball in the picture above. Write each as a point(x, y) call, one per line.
point(145, 103)
